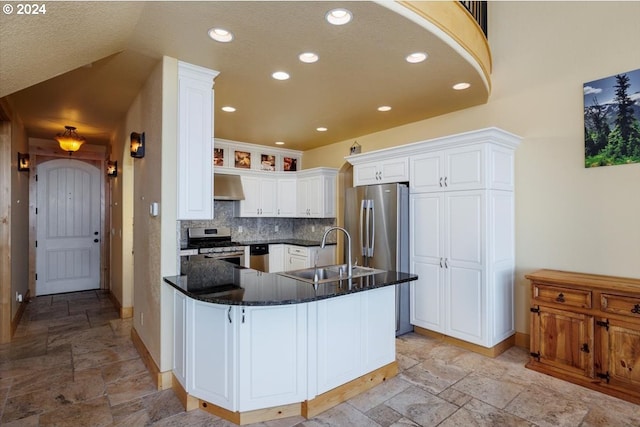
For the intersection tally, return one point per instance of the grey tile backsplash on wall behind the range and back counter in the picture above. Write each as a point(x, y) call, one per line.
point(260, 228)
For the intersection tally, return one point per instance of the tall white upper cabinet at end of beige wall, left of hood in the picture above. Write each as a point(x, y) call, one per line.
point(195, 141)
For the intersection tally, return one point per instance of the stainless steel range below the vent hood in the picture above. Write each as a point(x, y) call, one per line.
point(213, 243)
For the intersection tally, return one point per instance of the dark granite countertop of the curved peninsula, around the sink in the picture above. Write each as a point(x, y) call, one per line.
point(221, 282)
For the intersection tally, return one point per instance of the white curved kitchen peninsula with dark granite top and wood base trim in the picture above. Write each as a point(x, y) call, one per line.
point(252, 346)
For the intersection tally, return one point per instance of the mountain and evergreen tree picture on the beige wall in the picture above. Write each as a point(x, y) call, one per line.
point(612, 120)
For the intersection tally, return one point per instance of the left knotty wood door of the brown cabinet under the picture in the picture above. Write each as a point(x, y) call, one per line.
point(563, 340)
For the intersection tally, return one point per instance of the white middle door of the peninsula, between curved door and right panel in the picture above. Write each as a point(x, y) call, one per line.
point(273, 356)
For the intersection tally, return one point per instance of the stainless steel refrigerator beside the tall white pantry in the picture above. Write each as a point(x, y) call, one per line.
point(377, 217)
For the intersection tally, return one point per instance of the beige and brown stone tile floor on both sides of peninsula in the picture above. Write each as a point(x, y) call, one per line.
point(72, 363)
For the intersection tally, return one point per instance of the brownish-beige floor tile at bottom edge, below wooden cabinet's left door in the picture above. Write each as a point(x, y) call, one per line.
point(547, 408)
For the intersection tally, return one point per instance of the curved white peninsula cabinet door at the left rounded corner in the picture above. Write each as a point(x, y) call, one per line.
point(211, 367)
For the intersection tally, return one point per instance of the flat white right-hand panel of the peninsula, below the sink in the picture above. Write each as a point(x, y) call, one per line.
point(369, 340)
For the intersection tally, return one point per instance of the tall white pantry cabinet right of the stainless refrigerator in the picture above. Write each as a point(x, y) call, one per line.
point(462, 239)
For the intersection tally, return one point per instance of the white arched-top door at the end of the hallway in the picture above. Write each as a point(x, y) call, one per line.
point(68, 227)
